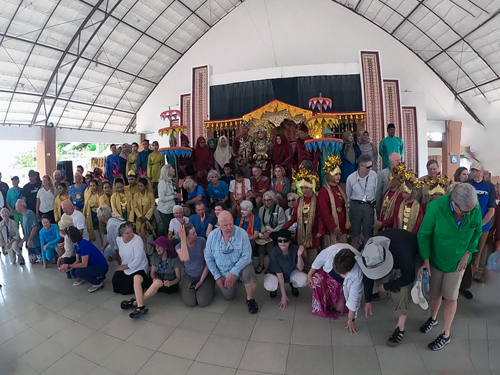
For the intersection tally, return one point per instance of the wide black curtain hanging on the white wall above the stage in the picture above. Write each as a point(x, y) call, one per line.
point(236, 99)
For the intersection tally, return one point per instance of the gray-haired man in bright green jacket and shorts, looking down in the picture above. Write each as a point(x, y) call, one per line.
point(447, 238)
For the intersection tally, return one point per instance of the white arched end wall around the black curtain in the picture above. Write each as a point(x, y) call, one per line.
point(271, 38)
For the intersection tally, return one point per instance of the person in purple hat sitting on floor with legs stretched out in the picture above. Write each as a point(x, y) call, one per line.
point(165, 273)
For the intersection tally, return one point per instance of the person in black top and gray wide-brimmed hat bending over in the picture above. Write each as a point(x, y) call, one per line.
point(389, 262)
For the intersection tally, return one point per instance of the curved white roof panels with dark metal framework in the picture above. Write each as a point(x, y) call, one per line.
point(91, 64)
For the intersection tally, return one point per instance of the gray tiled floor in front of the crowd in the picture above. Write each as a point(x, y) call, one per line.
point(47, 326)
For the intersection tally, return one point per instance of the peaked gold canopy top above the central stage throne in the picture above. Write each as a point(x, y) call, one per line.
point(277, 111)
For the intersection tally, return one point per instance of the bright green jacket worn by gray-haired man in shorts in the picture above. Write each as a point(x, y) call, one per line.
point(442, 240)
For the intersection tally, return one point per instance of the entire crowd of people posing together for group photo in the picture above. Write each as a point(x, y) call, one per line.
point(330, 222)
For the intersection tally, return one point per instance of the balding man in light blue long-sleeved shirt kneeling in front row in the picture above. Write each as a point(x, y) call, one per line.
point(228, 254)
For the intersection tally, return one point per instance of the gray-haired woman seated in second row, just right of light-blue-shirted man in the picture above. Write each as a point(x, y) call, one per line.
point(272, 218)
